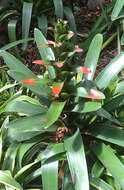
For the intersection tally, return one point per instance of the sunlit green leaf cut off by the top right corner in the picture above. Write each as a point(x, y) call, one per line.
point(117, 8)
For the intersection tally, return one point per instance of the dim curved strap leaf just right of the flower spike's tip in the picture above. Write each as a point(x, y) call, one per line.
point(70, 17)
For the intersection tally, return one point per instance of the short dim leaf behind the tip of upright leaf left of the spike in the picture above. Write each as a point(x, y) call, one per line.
point(43, 24)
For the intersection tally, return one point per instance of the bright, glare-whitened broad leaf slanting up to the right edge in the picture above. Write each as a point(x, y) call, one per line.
point(110, 71)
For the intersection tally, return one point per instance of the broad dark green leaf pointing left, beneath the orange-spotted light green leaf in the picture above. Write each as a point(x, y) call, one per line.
point(27, 127)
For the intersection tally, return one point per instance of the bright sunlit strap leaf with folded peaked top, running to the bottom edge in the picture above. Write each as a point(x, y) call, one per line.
point(76, 160)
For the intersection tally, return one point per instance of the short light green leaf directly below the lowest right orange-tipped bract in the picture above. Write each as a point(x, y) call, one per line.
point(85, 107)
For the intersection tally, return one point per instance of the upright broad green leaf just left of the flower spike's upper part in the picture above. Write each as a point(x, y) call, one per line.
point(46, 53)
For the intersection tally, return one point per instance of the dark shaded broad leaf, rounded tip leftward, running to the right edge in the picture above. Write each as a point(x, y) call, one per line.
point(108, 133)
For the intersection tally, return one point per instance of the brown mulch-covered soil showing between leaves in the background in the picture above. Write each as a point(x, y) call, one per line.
point(85, 20)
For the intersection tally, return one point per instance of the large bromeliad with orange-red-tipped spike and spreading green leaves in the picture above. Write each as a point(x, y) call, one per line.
point(67, 103)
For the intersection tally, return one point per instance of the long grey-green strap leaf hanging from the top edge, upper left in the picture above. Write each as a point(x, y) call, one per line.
point(26, 19)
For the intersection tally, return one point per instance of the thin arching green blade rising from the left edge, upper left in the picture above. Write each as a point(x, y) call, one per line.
point(13, 44)
